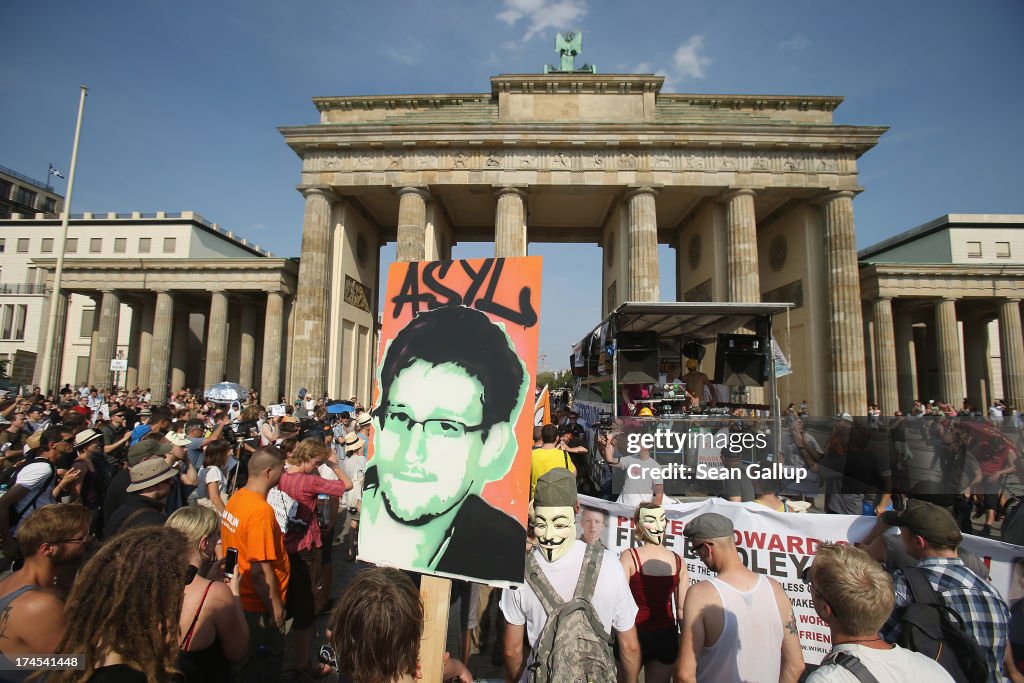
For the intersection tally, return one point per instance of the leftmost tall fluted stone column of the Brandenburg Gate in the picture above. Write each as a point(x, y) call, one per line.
point(310, 339)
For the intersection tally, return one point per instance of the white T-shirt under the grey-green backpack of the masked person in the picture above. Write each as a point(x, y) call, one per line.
point(613, 601)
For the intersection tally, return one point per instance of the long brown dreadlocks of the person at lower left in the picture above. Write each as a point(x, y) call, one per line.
point(127, 600)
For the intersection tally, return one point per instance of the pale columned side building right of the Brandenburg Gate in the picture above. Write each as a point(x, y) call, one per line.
point(943, 306)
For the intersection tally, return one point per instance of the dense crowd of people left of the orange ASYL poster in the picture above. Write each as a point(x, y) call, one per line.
point(117, 517)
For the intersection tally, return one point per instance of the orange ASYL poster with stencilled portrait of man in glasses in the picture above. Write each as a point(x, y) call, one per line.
point(448, 485)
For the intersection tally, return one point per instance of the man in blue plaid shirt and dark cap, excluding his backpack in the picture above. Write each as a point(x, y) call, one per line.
point(931, 536)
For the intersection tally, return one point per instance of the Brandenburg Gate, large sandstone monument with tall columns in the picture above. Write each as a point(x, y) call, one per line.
point(755, 193)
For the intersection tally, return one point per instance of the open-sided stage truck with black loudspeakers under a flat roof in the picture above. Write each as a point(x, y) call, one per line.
point(692, 383)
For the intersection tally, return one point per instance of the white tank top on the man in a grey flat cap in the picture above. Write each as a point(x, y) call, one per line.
point(751, 646)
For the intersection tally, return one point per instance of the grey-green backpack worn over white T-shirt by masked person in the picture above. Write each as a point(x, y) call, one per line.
point(574, 647)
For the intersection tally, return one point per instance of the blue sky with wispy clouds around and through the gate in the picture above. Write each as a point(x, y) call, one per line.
point(186, 98)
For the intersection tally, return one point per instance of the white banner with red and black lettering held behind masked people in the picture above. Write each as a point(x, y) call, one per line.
point(782, 545)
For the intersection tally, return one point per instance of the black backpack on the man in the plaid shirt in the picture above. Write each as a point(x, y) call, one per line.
point(931, 628)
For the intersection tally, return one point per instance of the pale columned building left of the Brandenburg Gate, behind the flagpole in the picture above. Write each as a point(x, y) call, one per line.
point(185, 303)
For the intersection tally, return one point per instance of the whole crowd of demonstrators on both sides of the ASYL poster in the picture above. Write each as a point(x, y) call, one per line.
point(193, 541)
